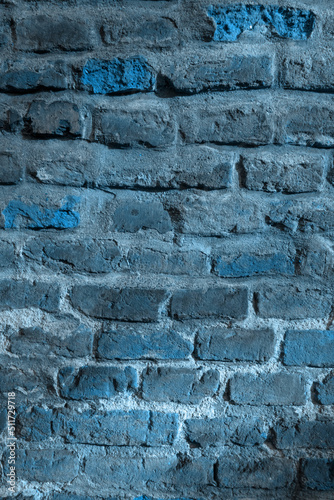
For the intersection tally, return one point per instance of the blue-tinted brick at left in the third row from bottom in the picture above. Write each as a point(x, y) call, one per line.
point(92, 382)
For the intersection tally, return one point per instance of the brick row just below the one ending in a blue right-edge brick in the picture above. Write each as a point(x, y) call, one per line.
point(168, 384)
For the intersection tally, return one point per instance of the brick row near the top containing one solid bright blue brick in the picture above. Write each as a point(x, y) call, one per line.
point(223, 71)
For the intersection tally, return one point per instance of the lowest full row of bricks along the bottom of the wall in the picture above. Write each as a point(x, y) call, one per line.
point(262, 471)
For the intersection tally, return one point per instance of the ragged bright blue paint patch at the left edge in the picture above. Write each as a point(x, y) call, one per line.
point(63, 218)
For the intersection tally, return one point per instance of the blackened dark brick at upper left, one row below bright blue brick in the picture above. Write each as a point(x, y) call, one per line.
point(58, 119)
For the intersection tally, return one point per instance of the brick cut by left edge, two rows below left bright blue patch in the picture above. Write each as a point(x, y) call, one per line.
point(23, 294)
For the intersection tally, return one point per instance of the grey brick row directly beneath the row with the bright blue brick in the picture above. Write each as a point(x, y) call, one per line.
point(148, 121)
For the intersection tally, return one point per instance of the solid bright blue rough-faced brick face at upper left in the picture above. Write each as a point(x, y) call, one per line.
point(117, 75)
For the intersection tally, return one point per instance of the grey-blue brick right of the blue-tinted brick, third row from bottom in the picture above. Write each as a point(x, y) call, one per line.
point(179, 385)
